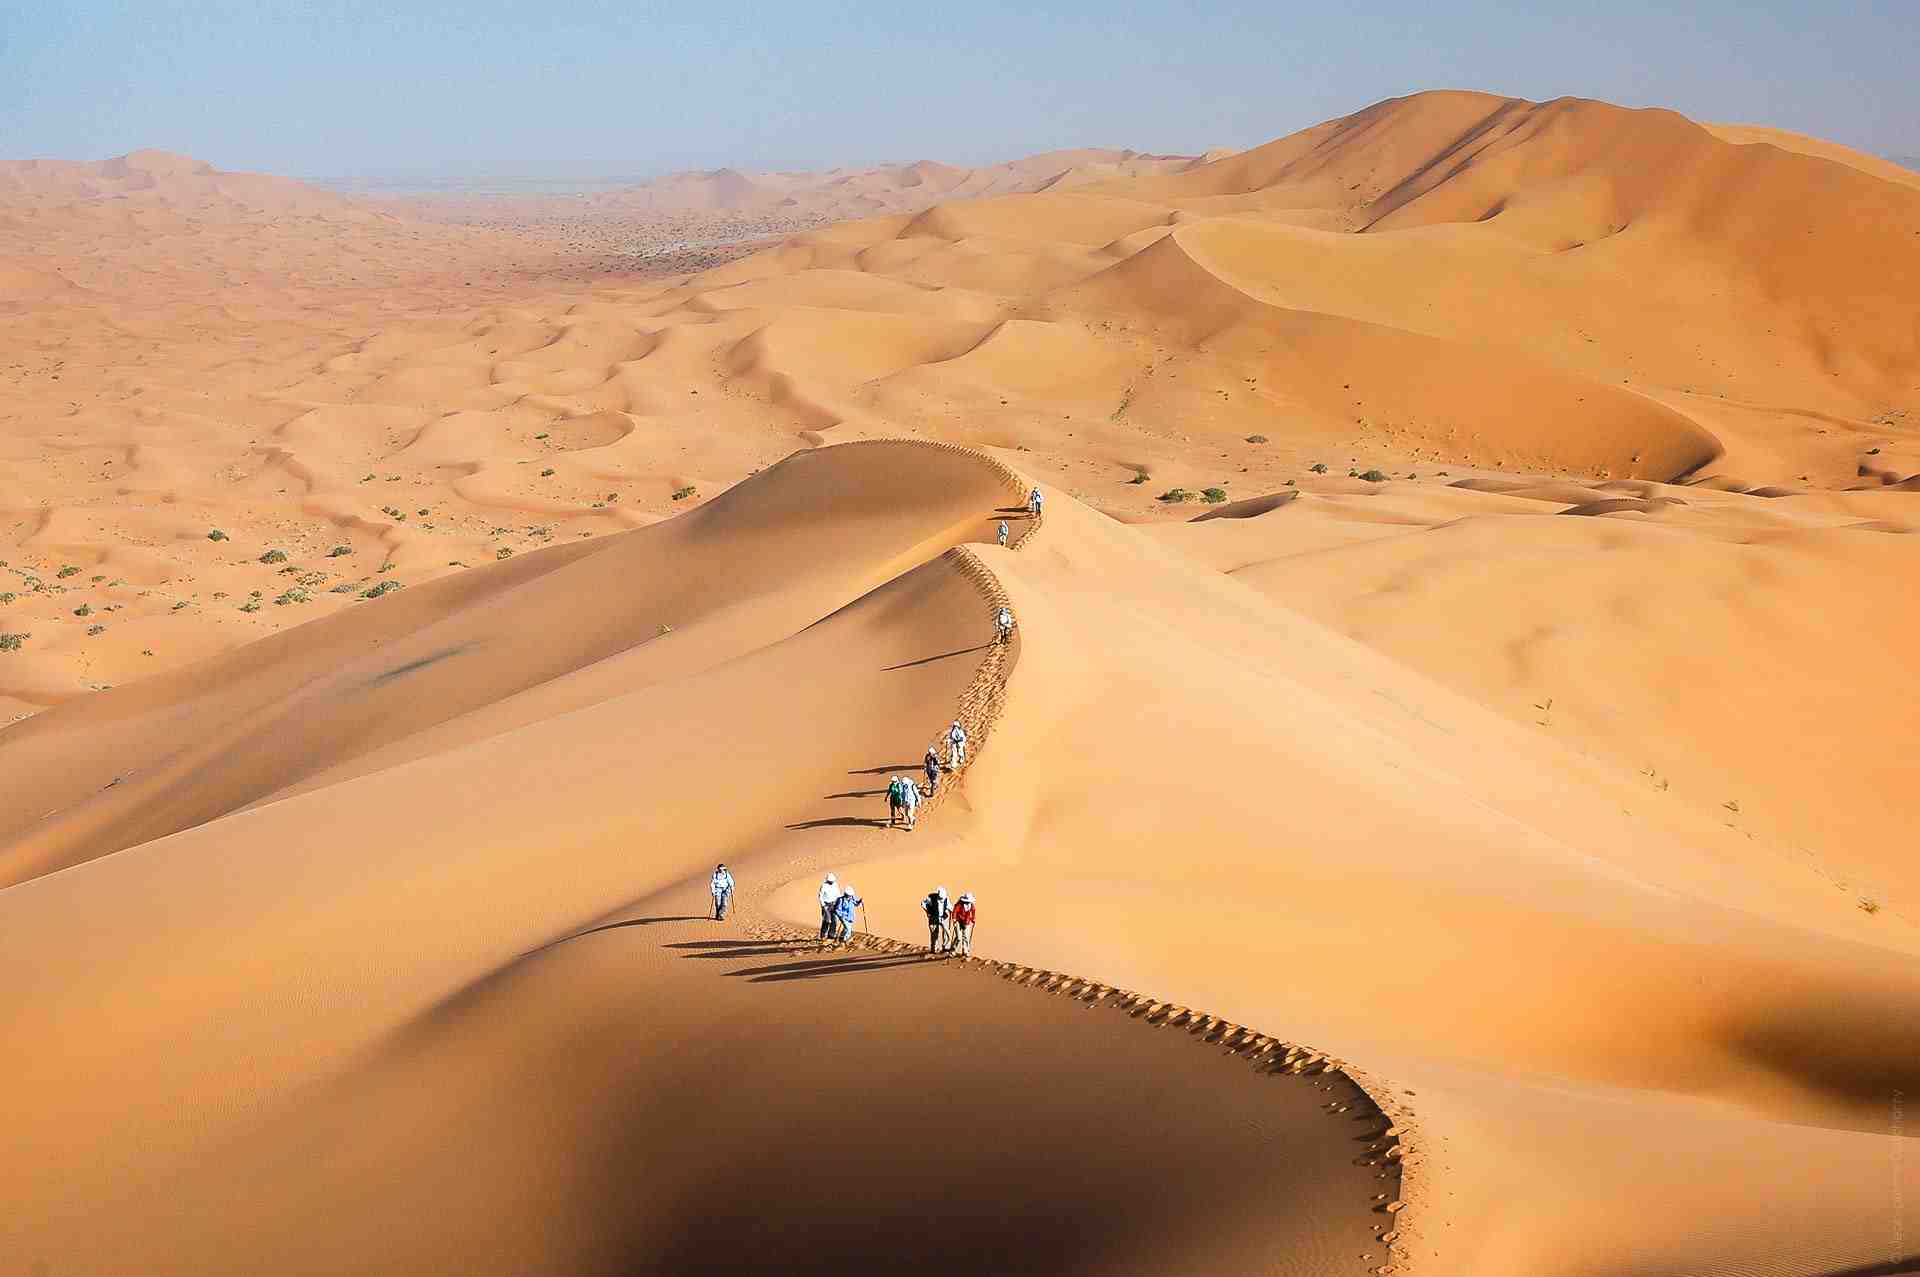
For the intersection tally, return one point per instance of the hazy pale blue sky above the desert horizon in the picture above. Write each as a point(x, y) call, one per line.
point(590, 89)
